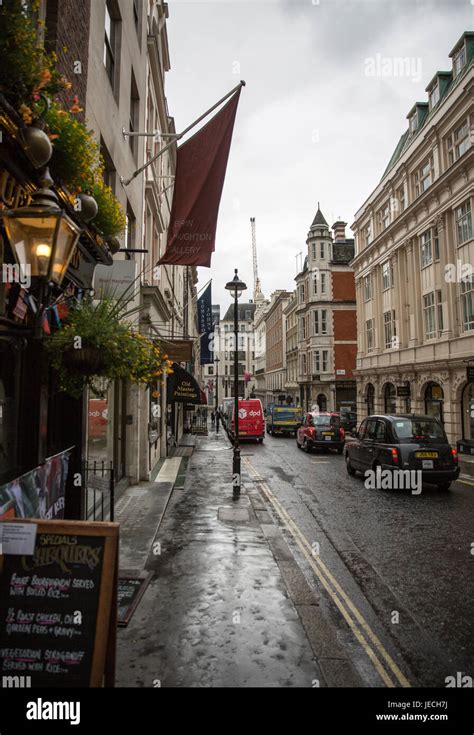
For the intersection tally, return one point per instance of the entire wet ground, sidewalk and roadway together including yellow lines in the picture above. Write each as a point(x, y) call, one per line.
point(309, 580)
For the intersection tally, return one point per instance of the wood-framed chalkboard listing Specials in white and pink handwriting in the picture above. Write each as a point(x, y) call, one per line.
point(58, 606)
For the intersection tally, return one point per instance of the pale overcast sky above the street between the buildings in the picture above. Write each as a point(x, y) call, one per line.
point(312, 124)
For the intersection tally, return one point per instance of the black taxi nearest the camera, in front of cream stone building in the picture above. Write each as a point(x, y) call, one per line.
point(405, 442)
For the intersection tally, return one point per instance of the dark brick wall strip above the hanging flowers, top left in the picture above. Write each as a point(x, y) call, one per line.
point(67, 26)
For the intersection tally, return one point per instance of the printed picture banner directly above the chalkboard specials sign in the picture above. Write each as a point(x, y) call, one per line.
point(38, 493)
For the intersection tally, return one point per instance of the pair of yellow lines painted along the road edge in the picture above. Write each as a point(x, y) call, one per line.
point(384, 664)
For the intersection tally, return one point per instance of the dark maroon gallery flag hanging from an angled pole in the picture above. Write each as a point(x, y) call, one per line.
point(200, 172)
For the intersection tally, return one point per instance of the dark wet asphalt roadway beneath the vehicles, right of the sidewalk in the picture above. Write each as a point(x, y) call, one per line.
point(389, 551)
